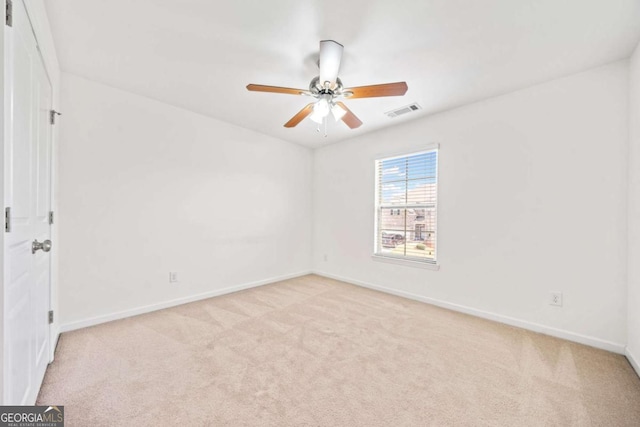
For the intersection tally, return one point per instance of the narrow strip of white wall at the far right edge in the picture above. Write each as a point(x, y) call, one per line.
point(633, 337)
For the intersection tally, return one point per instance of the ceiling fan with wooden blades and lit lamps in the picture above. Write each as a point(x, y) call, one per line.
point(328, 90)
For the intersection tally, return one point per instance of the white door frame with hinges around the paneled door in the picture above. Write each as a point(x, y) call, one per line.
point(36, 10)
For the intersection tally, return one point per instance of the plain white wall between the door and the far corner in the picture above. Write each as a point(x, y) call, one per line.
point(147, 188)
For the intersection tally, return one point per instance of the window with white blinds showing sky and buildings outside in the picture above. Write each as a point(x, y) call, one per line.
point(406, 206)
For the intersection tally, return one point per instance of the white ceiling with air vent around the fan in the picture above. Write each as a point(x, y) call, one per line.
point(200, 54)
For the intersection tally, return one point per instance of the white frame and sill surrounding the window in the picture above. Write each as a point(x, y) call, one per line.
point(402, 260)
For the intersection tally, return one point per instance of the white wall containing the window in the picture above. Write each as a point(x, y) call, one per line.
point(532, 200)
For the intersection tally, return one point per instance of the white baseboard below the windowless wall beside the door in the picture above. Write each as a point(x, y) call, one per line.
point(92, 321)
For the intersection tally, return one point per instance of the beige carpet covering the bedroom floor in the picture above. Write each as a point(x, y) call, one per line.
point(317, 352)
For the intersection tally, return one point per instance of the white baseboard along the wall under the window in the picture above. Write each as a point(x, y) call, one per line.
point(531, 326)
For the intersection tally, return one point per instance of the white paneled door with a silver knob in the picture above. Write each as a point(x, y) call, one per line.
point(28, 196)
